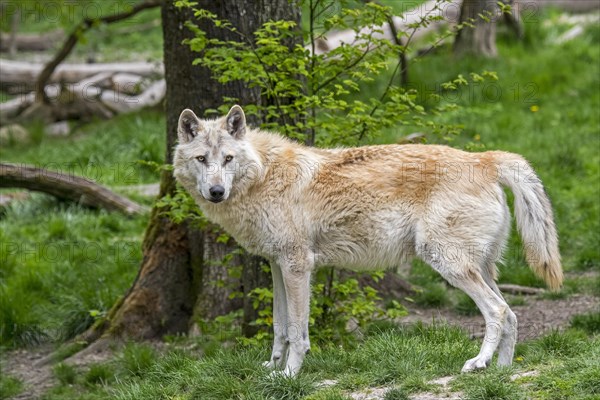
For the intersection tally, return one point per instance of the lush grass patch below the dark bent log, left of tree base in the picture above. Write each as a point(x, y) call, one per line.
point(73, 264)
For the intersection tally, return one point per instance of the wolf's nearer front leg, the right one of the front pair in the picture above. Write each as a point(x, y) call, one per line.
point(296, 279)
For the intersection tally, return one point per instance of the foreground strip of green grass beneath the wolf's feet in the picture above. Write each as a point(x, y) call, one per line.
point(405, 357)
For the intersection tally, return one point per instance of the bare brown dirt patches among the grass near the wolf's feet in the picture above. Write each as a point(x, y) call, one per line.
point(537, 317)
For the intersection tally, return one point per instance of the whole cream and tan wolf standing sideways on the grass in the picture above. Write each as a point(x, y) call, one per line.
point(366, 208)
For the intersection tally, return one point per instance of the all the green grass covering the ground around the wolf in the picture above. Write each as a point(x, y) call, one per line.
point(62, 266)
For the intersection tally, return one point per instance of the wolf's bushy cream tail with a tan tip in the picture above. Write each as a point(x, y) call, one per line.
point(535, 220)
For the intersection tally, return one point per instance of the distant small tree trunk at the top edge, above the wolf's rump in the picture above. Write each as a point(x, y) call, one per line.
point(480, 38)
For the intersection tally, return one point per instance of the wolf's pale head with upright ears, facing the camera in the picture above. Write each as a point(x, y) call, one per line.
point(213, 158)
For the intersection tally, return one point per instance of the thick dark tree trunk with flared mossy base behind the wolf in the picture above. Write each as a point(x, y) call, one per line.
point(177, 281)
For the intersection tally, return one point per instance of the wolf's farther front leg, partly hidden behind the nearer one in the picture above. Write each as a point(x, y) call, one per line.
point(280, 346)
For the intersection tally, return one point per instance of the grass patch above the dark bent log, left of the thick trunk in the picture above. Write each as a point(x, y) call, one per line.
point(109, 152)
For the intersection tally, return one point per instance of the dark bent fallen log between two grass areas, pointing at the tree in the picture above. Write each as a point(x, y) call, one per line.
point(66, 186)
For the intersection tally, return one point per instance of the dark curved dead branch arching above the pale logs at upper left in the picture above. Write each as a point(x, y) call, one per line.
point(73, 38)
